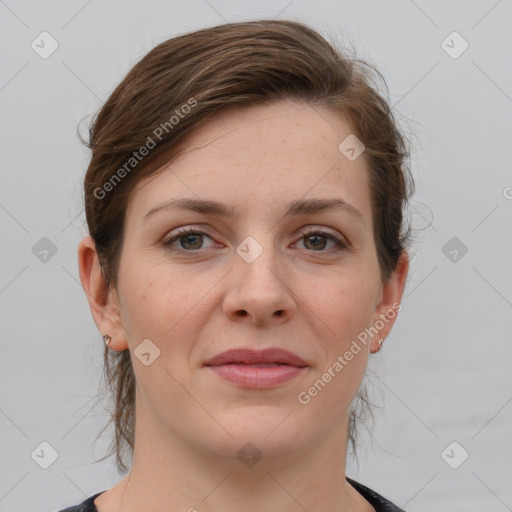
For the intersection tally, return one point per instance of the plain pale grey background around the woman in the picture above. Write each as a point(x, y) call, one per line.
point(444, 374)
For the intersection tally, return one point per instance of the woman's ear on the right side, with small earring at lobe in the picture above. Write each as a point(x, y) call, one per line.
point(389, 304)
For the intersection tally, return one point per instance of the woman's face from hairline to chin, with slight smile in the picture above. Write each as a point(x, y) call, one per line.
point(268, 273)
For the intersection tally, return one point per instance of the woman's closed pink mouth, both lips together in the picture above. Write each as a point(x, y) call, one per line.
point(257, 369)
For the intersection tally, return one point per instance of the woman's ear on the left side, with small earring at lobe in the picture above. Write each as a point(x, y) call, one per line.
point(103, 302)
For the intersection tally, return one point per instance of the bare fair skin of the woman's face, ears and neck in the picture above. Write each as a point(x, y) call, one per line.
point(193, 304)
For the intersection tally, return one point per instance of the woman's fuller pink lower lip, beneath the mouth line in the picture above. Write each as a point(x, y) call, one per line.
point(257, 377)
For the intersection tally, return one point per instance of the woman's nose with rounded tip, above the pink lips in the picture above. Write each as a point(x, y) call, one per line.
point(258, 292)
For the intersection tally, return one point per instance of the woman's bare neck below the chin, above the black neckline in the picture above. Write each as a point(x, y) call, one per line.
point(169, 474)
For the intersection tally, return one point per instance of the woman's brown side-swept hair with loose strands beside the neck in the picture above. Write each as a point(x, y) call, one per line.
point(187, 79)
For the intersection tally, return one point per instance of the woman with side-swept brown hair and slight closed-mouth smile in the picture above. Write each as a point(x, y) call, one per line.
point(246, 255)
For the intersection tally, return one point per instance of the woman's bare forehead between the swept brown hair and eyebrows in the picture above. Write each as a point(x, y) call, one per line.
point(262, 156)
